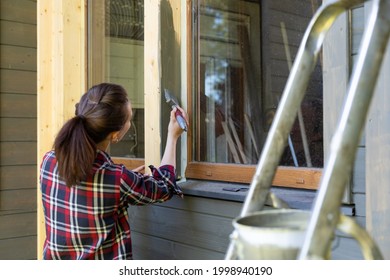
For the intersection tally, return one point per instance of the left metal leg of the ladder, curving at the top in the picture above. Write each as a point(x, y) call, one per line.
point(290, 103)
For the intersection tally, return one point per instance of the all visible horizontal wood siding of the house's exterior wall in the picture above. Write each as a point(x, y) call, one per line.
point(197, 227)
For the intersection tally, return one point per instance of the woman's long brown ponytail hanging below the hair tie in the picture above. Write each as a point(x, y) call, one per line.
point(75, 151)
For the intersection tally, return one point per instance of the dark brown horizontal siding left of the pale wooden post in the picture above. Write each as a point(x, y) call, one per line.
point(18, 129)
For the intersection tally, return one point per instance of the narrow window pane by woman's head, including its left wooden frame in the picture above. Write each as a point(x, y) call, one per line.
point(118, 25)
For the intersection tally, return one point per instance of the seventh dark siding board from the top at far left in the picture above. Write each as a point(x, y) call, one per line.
point(18, 153)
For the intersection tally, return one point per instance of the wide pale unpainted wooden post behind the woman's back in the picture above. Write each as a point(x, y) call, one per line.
point(61, 77)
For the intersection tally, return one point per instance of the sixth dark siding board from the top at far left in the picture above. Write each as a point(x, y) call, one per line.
point(18, 129)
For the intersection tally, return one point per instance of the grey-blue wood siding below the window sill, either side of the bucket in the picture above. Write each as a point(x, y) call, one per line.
point(198, 228)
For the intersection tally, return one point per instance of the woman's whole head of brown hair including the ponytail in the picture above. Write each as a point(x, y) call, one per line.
point(102, 109)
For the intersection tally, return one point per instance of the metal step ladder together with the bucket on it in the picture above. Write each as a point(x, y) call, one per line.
point(309, 234)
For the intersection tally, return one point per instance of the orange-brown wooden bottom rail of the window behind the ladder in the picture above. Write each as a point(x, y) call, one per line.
point(293, 177)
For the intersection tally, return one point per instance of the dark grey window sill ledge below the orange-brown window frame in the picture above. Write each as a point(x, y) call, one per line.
point(295, 198)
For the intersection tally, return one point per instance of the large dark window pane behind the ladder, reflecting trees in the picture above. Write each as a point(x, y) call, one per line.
point(242, 56)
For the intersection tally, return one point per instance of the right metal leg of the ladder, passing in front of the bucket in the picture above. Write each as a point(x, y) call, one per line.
point(326, 211)
